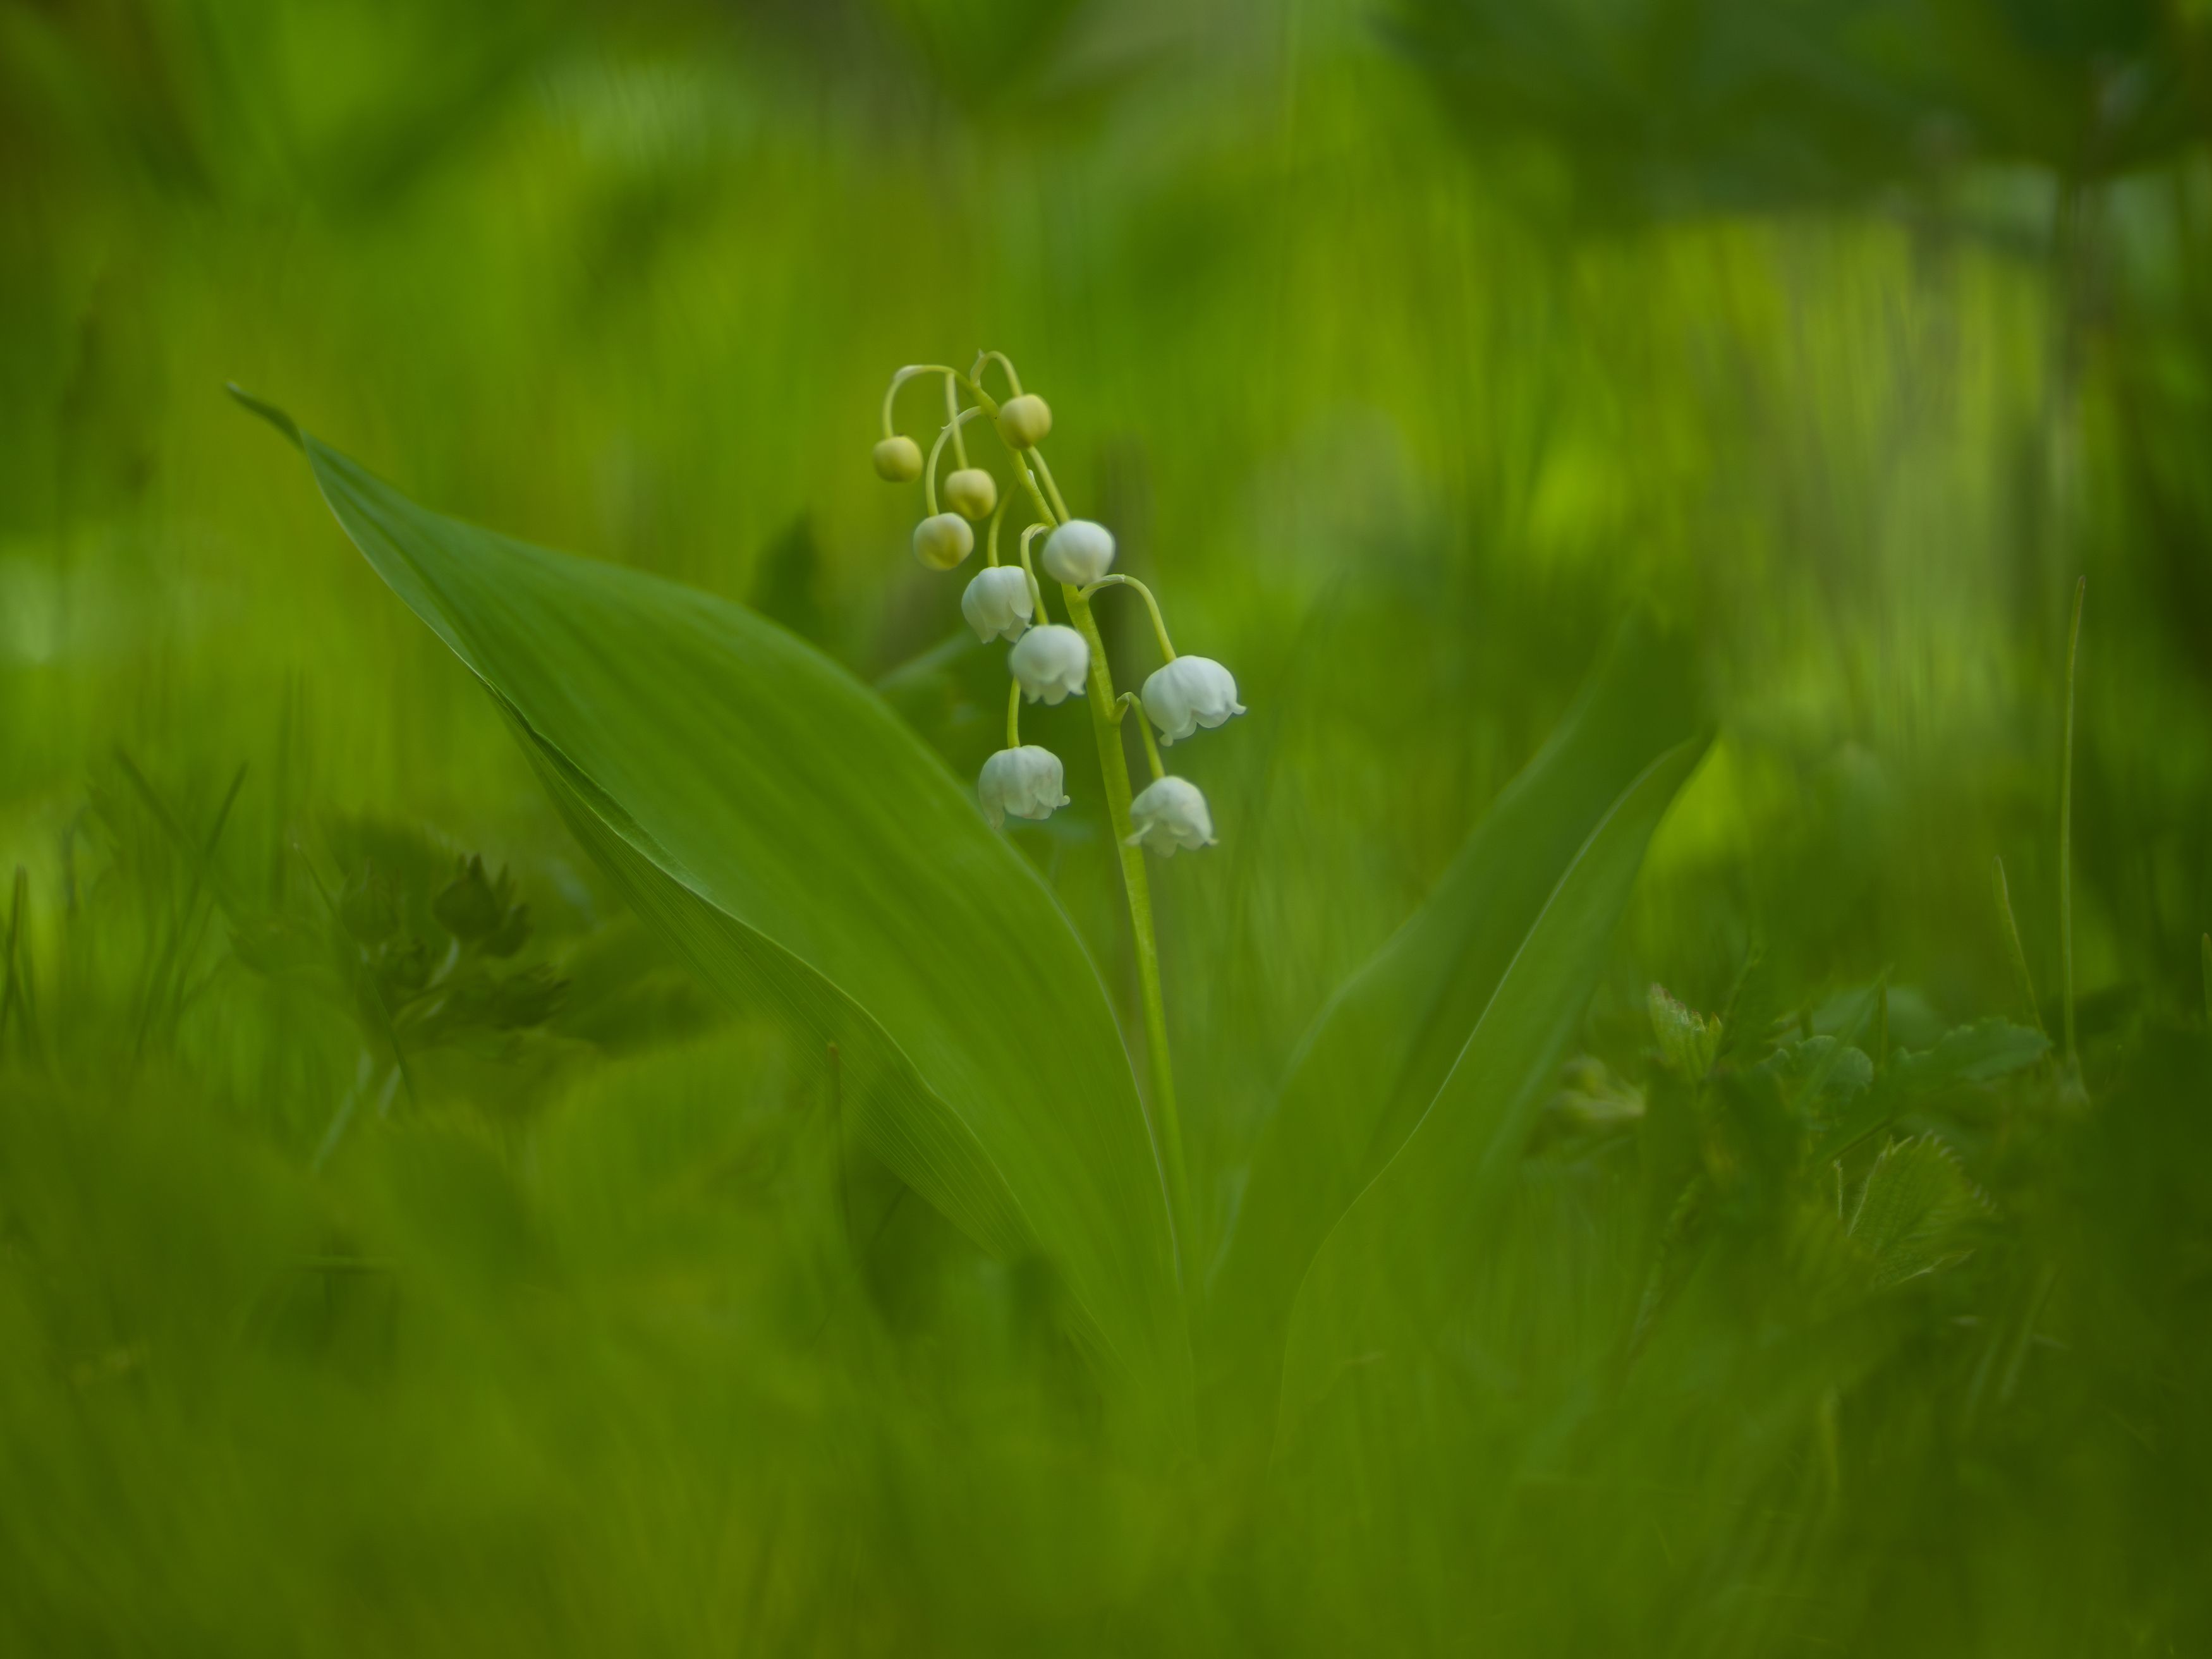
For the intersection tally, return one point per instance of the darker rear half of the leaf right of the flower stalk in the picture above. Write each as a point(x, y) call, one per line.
point(1386, 1043)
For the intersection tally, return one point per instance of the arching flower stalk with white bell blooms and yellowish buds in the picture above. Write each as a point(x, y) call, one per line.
point(1052, 662)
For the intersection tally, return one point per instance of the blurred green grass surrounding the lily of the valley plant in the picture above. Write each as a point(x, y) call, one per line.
point(1401, 393)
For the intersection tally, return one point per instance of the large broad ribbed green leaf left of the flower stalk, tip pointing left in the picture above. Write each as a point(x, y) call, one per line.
point(804, 848)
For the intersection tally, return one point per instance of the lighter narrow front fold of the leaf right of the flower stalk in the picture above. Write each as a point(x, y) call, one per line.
point(1410, 1244)
